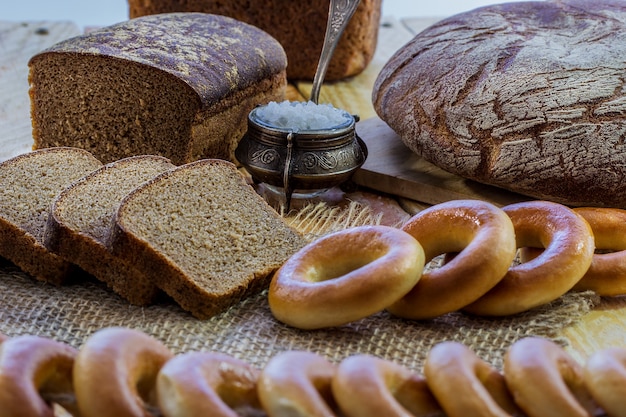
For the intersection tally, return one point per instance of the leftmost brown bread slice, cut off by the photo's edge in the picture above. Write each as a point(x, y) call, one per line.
point(28, 185)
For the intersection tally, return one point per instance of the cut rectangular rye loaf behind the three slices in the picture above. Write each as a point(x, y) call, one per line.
point(178, 85)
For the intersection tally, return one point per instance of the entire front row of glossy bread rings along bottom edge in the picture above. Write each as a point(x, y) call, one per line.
point(120, 371)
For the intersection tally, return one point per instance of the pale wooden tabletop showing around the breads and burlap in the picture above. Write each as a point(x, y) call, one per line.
point(605, 326)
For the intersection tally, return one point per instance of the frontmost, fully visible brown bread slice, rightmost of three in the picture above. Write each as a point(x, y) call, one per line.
point(204, 235)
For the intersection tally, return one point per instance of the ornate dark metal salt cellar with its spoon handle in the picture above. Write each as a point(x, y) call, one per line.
point(306, 162)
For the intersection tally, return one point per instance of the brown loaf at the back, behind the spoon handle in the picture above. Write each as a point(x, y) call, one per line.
point(298, 25)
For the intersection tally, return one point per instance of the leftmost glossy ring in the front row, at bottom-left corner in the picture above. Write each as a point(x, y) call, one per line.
point(34, 373)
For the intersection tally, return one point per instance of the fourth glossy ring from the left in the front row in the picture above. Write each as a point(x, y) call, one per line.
point(297, 383)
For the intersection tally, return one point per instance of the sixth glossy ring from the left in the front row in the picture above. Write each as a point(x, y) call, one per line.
point(465, 385)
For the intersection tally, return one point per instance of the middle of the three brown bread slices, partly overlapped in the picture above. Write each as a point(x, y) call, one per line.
point(81, 217)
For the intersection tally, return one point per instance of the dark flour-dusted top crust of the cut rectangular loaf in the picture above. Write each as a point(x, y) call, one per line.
point(214, 55)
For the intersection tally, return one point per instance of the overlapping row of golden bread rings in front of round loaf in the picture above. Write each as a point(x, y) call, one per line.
point(496, 262)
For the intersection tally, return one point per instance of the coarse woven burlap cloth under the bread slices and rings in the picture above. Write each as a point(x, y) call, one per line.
point(248, 330)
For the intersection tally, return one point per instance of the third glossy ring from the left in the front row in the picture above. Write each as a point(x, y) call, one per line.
point(206, 384)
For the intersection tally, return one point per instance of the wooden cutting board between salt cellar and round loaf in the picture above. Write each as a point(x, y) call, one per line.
point(393, 168)
